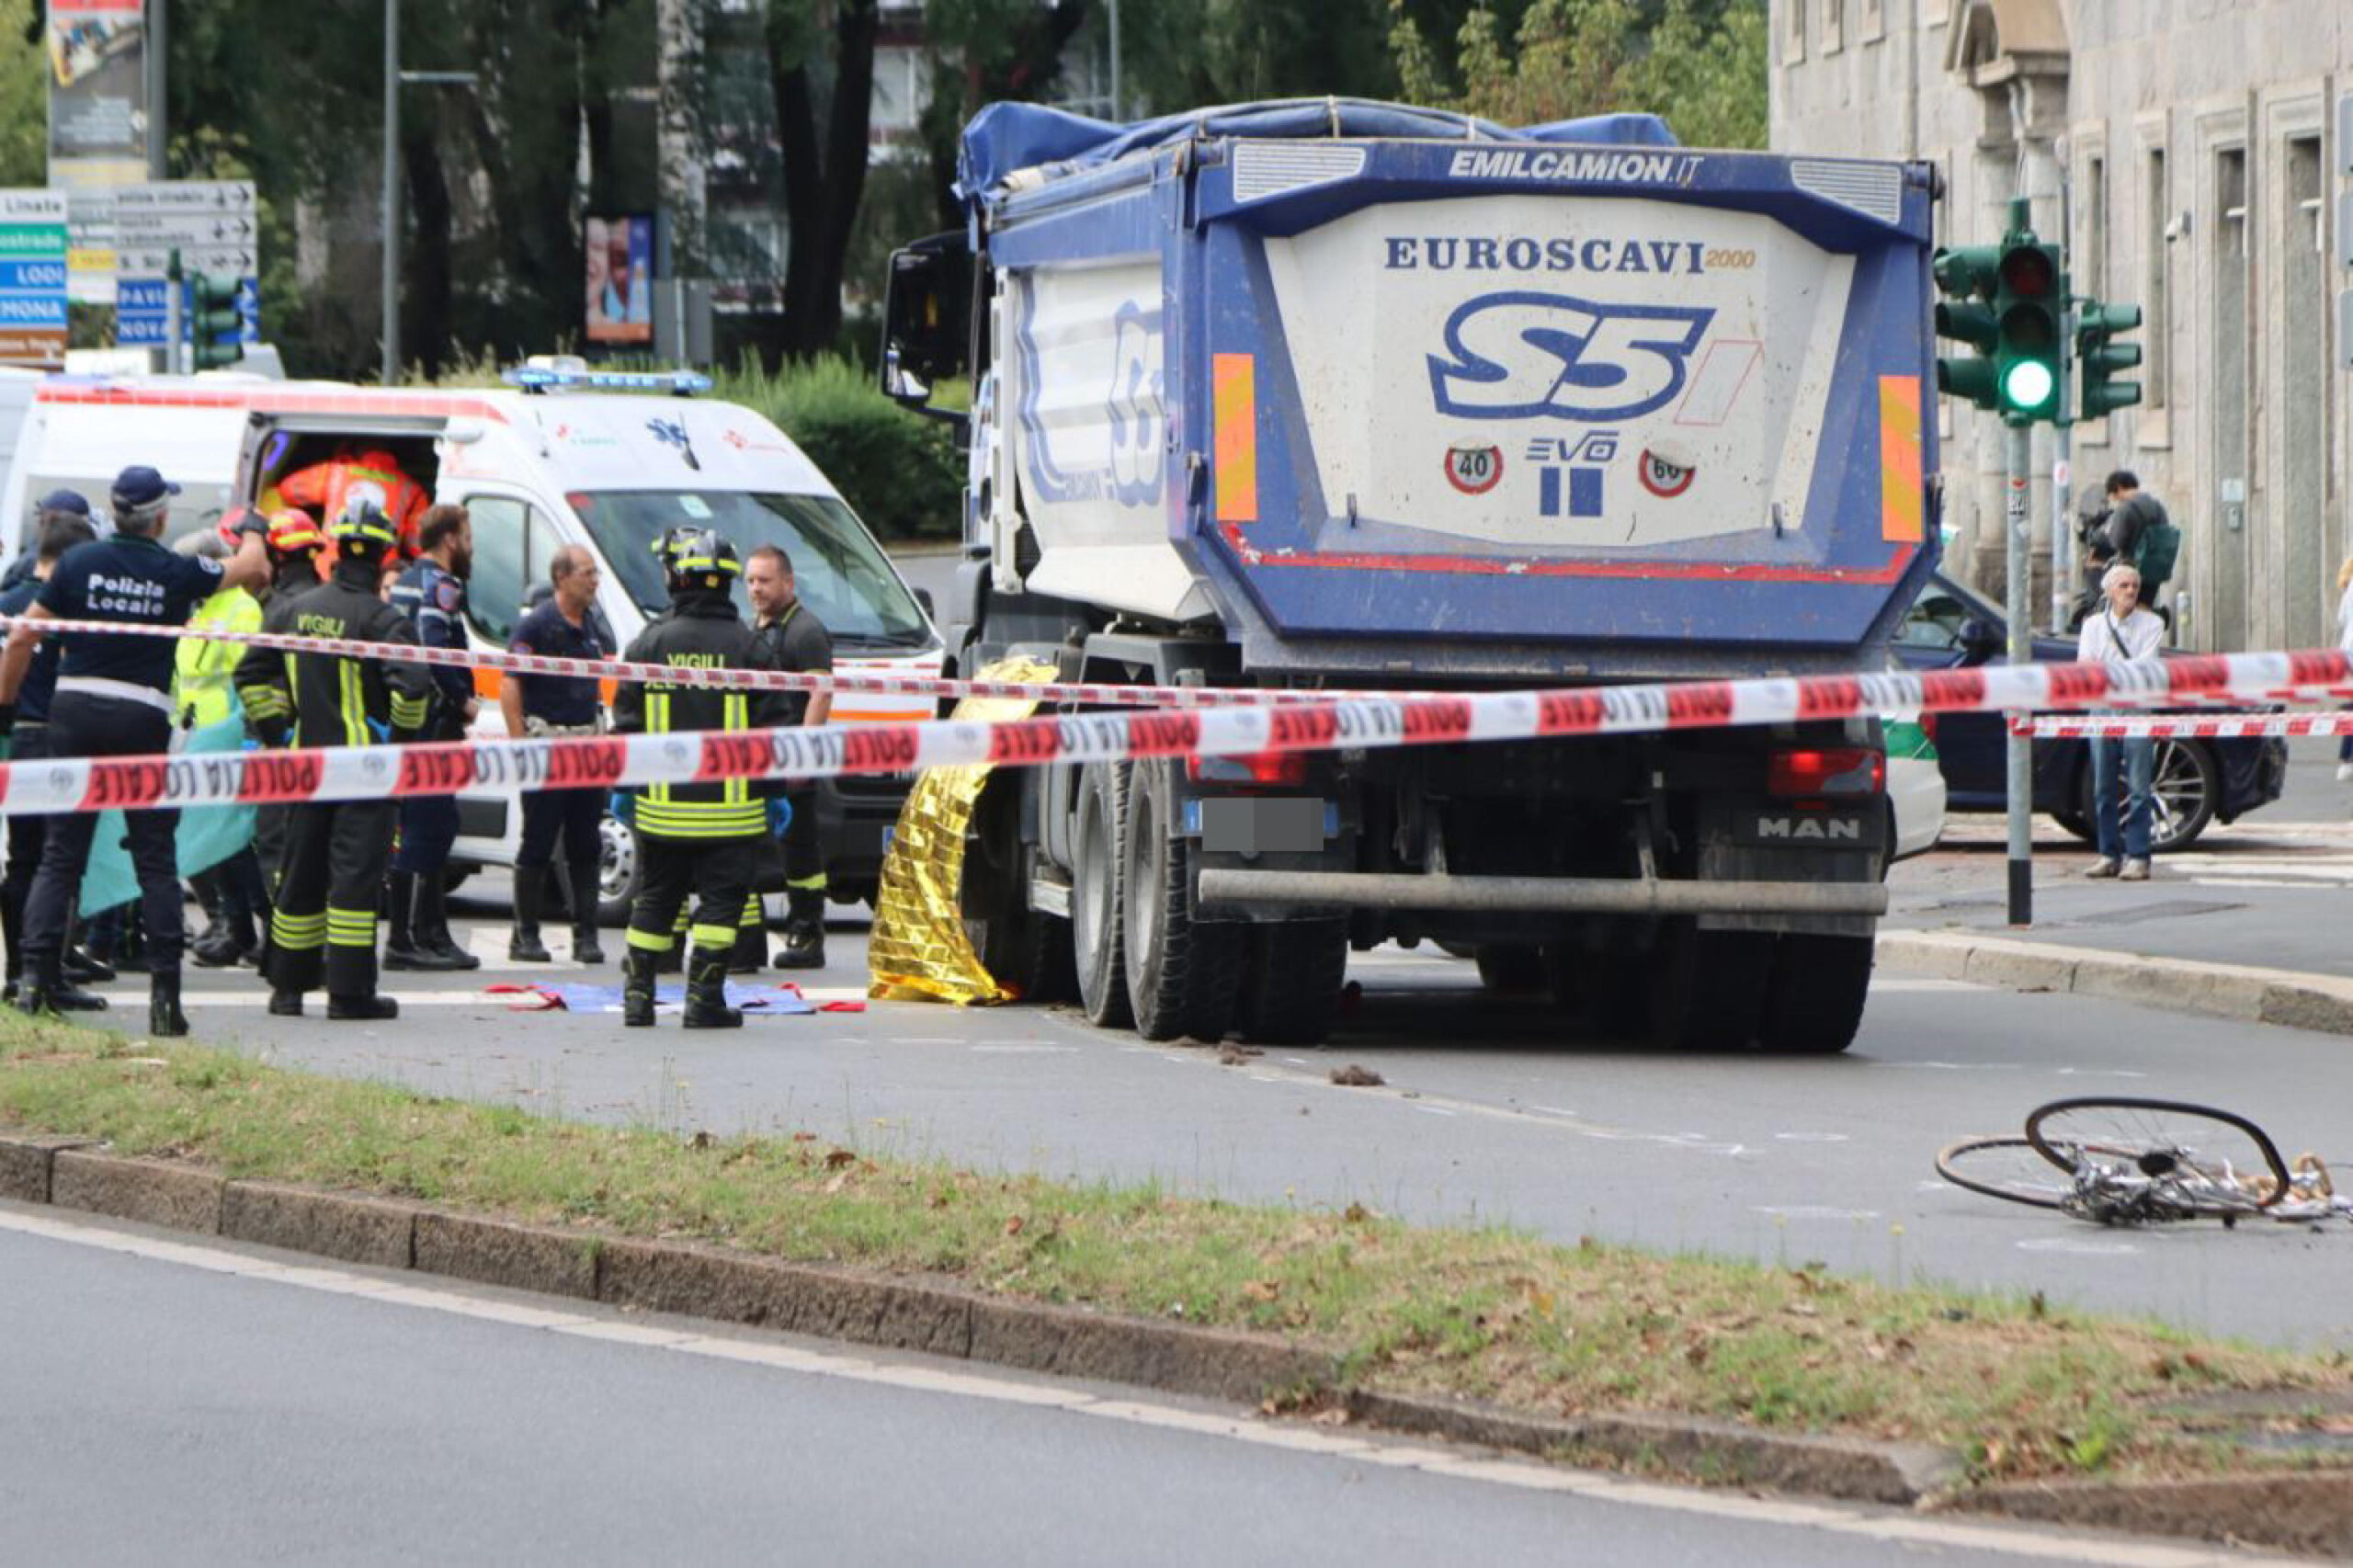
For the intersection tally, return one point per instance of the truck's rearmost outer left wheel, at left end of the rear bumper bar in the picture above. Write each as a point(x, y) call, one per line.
point(1180, 971)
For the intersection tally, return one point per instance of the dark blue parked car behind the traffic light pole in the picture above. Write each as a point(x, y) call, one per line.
point(2199, 780)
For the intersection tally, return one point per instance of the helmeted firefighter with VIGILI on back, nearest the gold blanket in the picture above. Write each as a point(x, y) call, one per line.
point(695, 837)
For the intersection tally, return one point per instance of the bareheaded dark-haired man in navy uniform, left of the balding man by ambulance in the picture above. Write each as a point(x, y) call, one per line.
point(432, 597)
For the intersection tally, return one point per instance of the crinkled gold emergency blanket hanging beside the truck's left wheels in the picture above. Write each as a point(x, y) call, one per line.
point(919, 948)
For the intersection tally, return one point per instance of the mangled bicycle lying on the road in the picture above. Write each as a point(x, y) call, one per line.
point(2145, 1162)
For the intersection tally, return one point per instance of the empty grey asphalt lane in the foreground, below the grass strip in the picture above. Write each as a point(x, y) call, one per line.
point(218, 1407)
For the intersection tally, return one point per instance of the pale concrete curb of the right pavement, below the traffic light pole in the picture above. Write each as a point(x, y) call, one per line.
point(2182, 985)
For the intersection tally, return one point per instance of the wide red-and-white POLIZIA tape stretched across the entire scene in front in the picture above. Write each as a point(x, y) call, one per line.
point(629, 762)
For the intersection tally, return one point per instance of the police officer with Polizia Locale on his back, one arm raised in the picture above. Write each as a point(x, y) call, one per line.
point(114, 698)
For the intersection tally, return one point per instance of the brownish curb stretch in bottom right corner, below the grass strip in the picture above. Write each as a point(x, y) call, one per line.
point(2312, 1513)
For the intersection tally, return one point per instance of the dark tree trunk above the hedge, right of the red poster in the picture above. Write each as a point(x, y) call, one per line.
point(822, 67)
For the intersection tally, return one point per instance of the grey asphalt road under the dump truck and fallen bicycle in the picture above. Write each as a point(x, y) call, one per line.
point(1488, 1115)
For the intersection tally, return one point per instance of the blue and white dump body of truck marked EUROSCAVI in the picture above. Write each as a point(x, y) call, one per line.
point(1397, 394)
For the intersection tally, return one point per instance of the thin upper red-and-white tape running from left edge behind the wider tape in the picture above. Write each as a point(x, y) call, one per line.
point(728, 679)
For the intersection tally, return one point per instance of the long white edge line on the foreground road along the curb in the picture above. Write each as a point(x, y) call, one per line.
point(1345, 1447)
